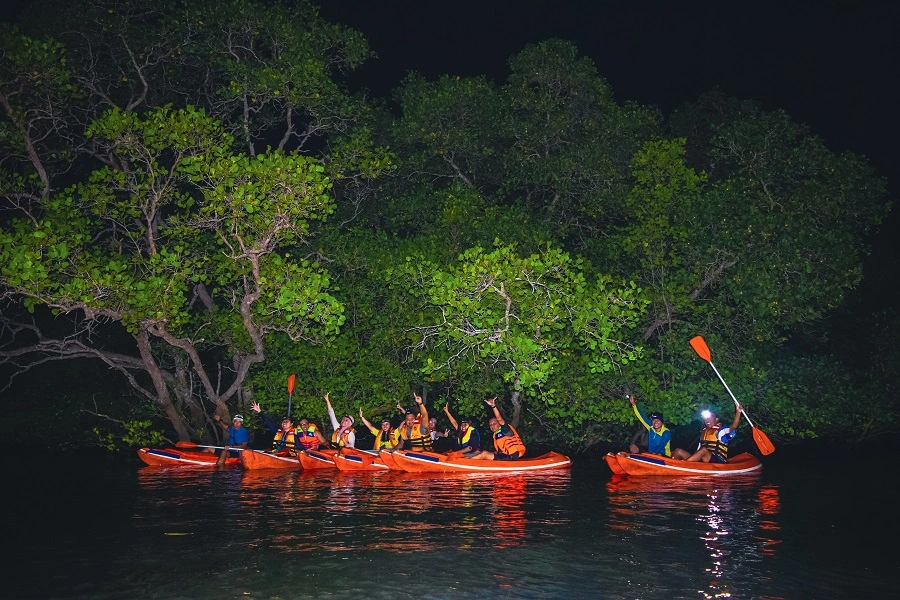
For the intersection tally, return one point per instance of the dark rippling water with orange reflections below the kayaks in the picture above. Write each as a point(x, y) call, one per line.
point(100, 529)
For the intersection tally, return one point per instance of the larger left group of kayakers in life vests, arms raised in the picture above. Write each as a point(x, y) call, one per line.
point(417, 432)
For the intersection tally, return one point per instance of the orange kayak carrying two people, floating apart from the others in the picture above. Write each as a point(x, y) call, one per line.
point(654, 464)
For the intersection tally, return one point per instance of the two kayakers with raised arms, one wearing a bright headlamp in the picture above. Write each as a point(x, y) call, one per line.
point(713, 443)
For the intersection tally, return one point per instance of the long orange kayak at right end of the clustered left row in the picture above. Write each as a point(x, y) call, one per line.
point(425, 462)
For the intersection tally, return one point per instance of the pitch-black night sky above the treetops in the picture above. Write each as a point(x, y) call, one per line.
point(831, 64)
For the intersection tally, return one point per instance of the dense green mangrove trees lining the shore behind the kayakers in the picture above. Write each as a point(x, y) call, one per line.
point(203, 206)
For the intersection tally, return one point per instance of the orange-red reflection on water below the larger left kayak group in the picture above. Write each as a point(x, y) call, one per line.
point(305, 511)
